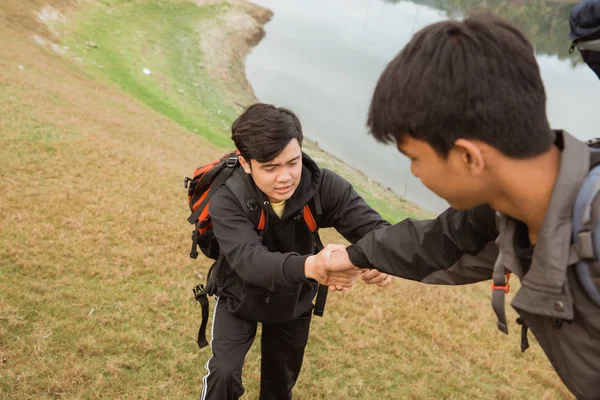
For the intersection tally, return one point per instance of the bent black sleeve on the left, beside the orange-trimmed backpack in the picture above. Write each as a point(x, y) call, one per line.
point(242, 247)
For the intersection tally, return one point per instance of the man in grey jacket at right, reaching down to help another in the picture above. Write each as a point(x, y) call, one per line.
point(466, 103)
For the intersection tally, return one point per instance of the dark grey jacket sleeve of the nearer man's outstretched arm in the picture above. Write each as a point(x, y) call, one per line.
point(414, 249)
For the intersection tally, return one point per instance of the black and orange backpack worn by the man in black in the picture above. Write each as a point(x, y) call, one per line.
point(206, 181)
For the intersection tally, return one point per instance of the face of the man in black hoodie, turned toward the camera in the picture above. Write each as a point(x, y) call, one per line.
point(278, 178)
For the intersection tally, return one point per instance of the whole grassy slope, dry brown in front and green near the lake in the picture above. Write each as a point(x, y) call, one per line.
point(95, 282)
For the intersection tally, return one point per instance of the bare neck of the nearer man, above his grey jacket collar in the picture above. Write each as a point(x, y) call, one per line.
point(525, 188)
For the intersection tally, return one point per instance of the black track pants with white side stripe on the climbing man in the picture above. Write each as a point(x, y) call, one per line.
point(282, 348)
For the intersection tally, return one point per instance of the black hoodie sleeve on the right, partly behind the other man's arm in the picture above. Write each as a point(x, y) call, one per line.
point(345, 210)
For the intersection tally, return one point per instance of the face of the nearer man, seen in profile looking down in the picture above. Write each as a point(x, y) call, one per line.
point(449, 178)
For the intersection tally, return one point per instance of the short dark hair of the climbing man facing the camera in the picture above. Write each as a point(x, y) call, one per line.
point(263, 130)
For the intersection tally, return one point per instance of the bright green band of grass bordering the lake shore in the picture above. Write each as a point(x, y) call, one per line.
point(136, 35)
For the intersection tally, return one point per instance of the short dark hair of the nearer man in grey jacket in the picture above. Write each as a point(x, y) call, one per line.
point(475, 79)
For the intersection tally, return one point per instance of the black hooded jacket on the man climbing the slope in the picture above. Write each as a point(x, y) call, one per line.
point(265, 279)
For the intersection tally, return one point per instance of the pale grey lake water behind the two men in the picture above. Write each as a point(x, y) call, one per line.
point(322, 59)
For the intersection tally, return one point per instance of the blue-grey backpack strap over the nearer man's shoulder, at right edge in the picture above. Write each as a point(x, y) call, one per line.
point(586, 234)
